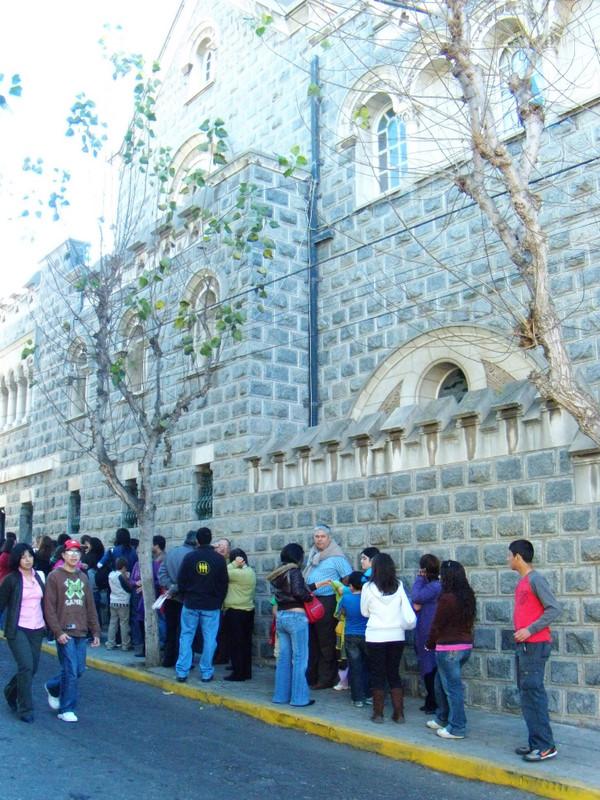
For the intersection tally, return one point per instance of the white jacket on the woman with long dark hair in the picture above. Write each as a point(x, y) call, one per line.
point(389, 615)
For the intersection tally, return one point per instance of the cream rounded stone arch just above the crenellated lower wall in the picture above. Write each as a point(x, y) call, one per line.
point(415, 372)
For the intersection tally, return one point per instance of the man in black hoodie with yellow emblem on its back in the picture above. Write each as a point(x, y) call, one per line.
point(202, 580)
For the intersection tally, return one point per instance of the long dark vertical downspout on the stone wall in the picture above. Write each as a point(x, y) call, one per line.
point(313, 262)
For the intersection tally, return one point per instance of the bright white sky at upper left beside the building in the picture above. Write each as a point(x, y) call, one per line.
point(54, 48)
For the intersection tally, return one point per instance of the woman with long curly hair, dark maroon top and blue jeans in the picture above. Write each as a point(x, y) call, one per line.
point(451, 636)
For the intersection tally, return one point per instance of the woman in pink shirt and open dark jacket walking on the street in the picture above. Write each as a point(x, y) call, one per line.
point(21, 594)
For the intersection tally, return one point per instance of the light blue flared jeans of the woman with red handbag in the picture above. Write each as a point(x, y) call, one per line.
point(291, 685)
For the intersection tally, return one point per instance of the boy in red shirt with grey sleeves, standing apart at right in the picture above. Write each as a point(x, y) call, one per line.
point(536, 608)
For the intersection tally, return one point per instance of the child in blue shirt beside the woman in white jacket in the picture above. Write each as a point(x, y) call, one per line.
point(356, 648)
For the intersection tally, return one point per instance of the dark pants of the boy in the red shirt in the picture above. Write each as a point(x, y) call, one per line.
point(531, 664)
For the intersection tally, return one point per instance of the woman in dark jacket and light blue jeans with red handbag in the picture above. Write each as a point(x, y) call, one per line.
point(291, 593)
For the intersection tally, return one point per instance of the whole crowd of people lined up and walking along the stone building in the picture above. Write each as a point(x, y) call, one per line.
point(333, 627)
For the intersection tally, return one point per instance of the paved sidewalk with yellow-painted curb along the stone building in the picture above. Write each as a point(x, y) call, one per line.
point(487, 754)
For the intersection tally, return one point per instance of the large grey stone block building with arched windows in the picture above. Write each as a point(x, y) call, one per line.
point(379, 387)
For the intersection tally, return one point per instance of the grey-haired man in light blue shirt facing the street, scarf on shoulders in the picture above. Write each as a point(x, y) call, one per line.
point(326, 562)
